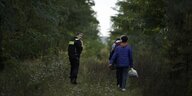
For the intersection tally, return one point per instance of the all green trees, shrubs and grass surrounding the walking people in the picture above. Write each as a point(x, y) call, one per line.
point(34, 38)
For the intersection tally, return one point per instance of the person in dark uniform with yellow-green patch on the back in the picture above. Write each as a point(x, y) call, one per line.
point(74, 51)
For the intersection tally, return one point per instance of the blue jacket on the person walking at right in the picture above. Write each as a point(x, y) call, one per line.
point(123, 56)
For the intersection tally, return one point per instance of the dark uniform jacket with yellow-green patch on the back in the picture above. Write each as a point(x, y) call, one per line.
point(75, 48)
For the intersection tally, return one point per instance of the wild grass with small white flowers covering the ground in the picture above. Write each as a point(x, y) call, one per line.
point(50, 77)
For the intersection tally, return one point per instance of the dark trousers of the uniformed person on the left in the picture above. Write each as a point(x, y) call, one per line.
point(74, 68)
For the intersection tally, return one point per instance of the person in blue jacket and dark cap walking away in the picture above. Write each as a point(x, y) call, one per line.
point(123, 57)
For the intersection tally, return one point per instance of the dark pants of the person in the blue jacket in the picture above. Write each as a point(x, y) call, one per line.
point(122, 75)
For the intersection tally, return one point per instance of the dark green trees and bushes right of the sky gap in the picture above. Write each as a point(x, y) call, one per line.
point(160, 33)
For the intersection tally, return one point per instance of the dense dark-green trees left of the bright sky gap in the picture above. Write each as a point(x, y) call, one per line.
point(36, 28)
